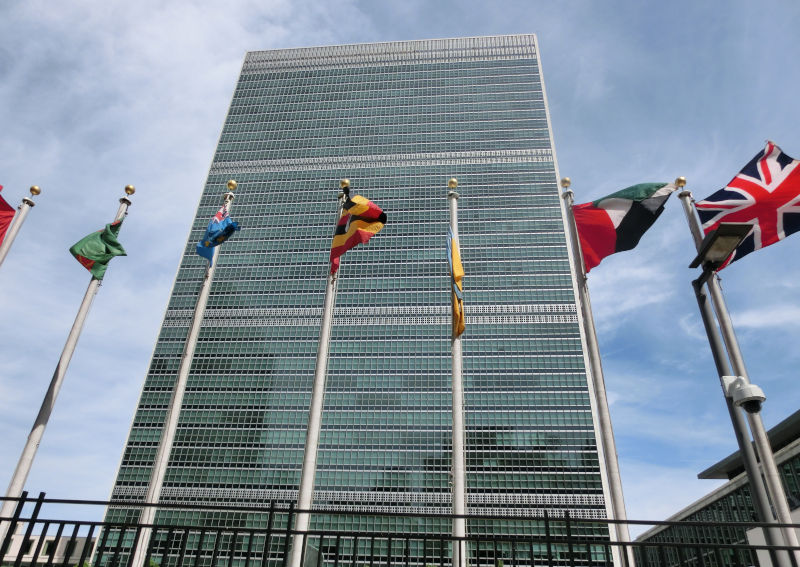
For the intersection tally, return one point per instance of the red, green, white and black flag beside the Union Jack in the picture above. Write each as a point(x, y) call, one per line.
point(617, 222)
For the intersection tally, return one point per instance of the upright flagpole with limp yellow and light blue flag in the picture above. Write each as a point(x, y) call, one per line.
point(459, 447)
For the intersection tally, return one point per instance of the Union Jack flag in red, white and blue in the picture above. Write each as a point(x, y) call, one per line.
point(765, 194)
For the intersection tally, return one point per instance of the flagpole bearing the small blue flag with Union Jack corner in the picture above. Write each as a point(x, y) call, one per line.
point(148, 514)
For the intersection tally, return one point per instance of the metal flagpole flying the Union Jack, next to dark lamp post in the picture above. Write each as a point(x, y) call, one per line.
point(771, 477)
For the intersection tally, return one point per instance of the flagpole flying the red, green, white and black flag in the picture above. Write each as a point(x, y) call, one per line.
point(603, 413)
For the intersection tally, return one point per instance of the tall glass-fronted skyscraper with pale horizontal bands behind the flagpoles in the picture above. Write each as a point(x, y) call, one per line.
point(397, 119)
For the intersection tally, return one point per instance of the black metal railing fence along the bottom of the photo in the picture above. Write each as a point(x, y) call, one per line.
point(225, 536)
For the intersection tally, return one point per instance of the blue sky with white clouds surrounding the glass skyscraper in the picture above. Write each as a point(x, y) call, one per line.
point(97, 95)
